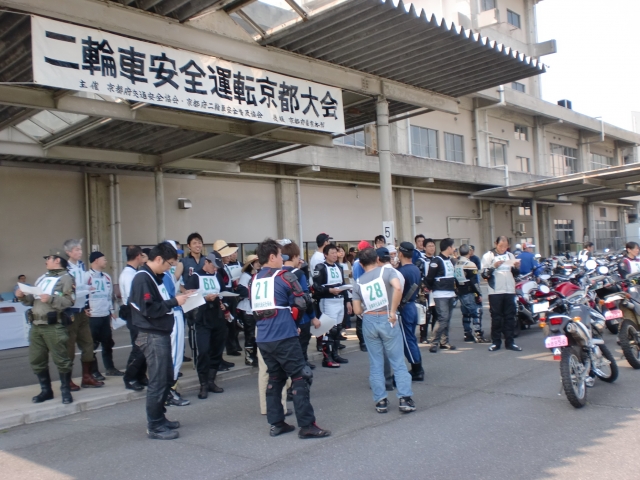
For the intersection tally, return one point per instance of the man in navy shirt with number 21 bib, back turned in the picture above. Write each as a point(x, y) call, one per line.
point(278, 302)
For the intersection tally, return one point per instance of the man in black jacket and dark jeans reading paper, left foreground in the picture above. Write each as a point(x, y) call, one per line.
point(152, 314)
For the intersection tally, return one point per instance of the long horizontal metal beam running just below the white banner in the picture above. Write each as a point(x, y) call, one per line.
point(44, 100)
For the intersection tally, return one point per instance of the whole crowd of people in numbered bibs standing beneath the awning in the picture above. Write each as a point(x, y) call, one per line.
point(400, 297)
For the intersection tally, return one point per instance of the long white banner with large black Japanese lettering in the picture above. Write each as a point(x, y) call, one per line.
point(85, 59)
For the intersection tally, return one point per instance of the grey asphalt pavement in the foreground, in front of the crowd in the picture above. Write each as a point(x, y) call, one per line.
point(480, 415)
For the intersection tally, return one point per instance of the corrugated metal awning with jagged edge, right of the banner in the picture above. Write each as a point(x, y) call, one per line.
point(380, 38)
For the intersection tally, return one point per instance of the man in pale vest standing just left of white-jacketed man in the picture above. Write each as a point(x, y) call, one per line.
point(470, 296)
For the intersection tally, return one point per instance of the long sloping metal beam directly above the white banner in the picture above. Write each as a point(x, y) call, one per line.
point(164, 31)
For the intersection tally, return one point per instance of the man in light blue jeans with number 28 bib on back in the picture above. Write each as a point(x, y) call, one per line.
point(376, 296)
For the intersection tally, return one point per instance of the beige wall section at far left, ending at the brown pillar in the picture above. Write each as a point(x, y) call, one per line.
point(39, 210)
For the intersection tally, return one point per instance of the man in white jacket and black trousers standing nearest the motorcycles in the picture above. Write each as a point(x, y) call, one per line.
point(500, 268)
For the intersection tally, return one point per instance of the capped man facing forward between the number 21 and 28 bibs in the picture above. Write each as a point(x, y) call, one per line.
point(327, 277)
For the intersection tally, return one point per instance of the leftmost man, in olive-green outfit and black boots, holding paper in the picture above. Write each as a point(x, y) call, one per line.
point(49, 322)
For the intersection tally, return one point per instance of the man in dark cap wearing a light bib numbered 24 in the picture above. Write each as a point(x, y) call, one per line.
point(101, 311)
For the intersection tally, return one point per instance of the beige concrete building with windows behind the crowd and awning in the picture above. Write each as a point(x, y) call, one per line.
point(500, 137)
